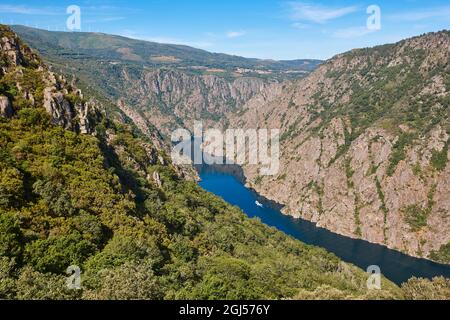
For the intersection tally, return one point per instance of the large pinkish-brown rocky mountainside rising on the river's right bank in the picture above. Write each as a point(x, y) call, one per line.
point(364, 145)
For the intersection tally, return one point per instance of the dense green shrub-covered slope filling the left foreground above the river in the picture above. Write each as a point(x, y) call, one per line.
point(69, 199)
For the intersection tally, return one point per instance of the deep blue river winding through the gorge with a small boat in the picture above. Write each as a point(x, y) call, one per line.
point(394, 265)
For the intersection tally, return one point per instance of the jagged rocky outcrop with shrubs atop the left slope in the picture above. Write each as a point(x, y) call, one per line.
point(26, 82)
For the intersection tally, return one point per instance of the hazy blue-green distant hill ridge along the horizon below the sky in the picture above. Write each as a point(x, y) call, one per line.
point(151, 54)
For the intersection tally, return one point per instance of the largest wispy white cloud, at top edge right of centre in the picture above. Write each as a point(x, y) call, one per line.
point(318, 13)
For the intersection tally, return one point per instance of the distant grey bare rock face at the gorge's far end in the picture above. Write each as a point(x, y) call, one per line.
point(173, 98)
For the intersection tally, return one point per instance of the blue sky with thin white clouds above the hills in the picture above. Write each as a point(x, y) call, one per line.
point(269, 29)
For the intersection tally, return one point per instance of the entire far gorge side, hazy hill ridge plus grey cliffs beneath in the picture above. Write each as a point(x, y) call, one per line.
point(169, 85)
